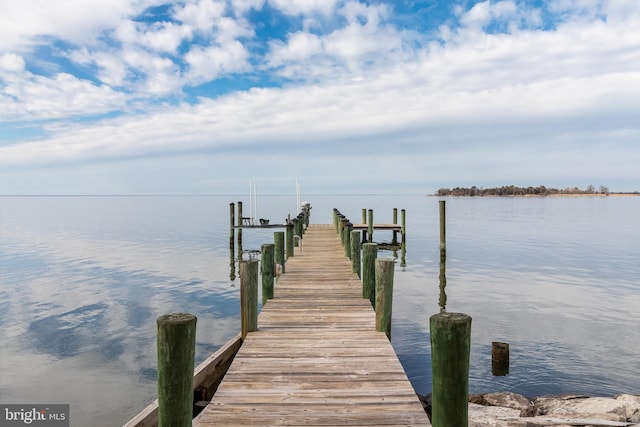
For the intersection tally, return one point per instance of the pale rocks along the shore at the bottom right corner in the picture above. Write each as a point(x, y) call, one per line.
point(506, 409)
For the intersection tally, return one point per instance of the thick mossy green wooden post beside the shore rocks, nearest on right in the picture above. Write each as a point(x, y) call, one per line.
point(450, 347)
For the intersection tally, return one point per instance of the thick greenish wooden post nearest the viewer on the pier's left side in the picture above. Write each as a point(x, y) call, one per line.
point(176, 342)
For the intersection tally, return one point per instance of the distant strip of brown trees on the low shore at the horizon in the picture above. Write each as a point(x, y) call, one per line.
point(512, 190)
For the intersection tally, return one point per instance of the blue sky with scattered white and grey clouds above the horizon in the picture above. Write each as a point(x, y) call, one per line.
point(198, 97)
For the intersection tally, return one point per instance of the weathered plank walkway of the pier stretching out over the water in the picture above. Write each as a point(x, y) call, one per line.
point(316, 358)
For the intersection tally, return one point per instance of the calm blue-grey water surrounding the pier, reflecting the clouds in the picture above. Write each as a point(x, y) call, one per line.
point(82, 280)
